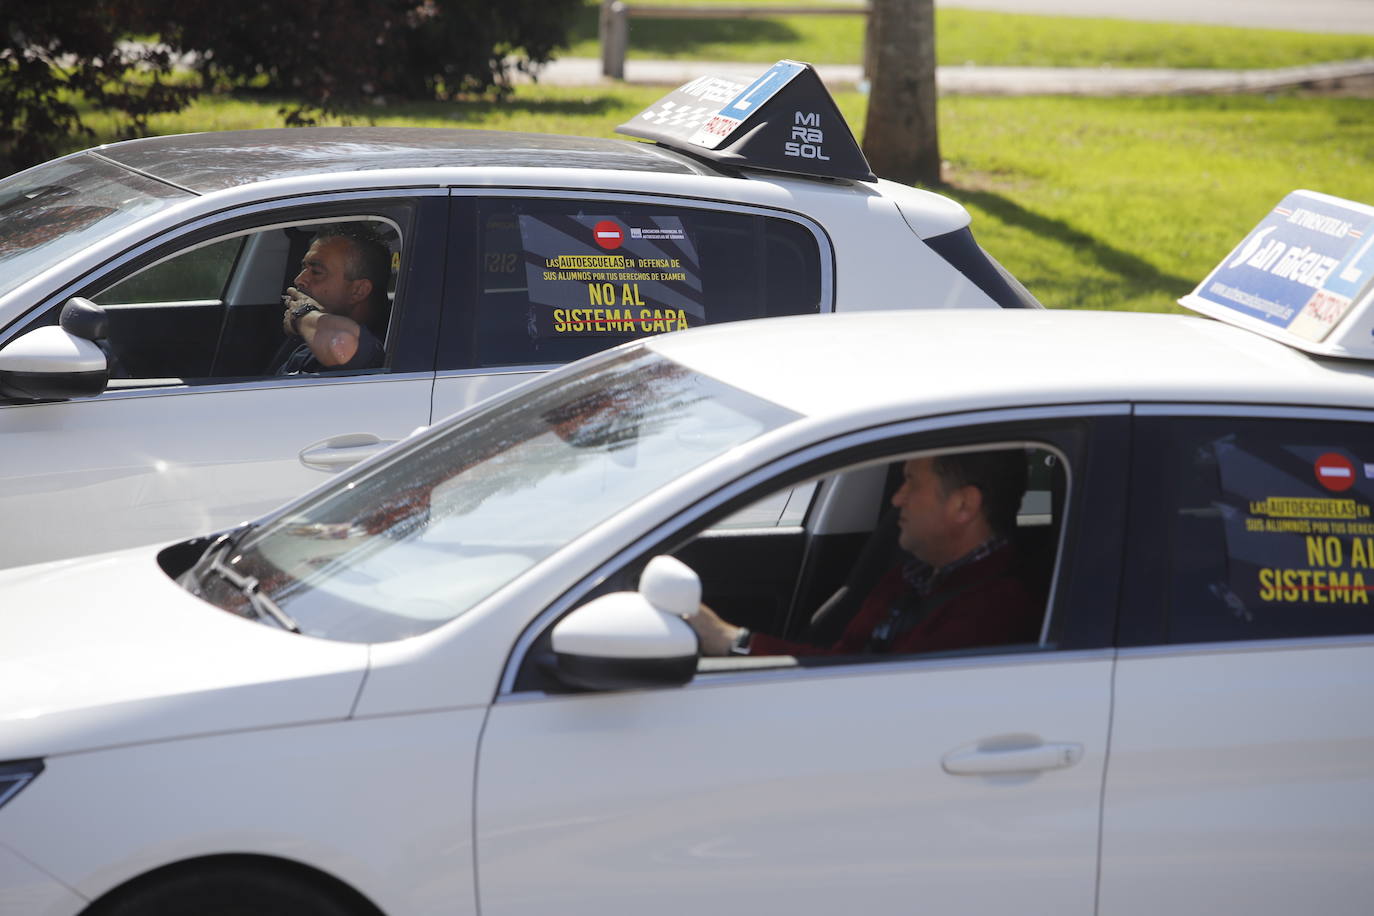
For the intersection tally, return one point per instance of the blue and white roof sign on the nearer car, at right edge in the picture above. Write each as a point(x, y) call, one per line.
point(1305, 275)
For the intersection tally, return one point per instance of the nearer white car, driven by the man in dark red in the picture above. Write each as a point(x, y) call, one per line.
point(458, 679)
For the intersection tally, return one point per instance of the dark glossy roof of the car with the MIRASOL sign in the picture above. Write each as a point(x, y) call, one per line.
point(208, 163)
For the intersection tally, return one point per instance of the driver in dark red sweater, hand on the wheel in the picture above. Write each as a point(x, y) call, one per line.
point(960, 586)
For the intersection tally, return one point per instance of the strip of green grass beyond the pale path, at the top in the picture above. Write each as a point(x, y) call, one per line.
point(971, 36)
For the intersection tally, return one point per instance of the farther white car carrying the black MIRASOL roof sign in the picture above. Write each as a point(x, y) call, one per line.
point(512, 253)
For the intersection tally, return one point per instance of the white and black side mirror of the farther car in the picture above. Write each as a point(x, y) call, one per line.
point(52, 365)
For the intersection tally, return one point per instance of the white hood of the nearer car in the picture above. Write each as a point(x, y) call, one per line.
point(108, 652)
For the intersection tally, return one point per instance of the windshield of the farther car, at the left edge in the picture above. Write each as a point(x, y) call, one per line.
point(56, 211)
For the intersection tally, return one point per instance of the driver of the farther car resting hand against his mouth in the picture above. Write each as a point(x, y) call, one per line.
point(339, 307)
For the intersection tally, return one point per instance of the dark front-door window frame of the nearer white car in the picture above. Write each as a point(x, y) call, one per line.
point(1081, 610)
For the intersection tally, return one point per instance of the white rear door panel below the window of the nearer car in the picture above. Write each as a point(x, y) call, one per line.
point(1246, 774)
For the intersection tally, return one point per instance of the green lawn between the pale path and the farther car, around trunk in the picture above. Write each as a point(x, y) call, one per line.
point(1112, 204)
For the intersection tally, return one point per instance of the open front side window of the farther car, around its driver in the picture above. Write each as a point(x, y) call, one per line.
point(214, 308)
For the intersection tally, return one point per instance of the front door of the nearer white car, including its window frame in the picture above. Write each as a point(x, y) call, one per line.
point(950, 783)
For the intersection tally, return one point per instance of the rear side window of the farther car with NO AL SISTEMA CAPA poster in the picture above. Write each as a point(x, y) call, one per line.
point(563, 279)
